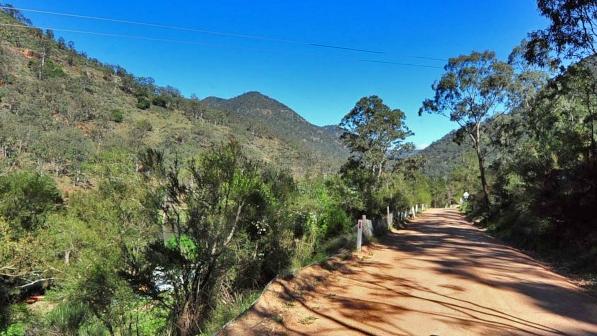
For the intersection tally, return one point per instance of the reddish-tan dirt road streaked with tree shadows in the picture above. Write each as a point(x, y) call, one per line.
point(441, 276)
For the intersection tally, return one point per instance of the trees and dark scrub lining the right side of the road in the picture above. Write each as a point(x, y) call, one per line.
point(535, 181)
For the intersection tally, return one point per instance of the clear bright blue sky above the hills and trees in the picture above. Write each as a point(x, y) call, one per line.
point(319, 83)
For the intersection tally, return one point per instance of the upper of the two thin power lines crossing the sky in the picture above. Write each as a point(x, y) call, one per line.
point(195, 30)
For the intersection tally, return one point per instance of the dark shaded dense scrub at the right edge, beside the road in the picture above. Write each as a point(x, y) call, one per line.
point(546, 188)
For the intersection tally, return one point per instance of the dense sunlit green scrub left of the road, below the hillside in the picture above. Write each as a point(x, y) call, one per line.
point(166, 249)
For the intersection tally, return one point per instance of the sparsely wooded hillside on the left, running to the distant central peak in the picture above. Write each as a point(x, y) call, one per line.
point(65, 113)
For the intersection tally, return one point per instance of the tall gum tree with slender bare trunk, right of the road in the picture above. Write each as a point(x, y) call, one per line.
point(470, 92)
